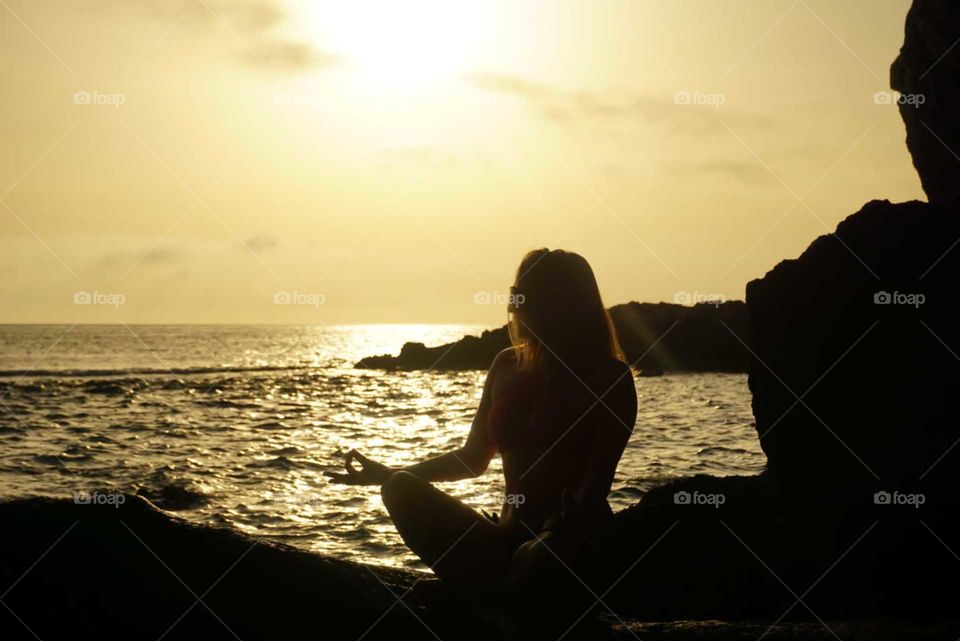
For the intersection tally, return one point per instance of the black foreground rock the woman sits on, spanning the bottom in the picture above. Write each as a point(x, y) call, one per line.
point(699, 571)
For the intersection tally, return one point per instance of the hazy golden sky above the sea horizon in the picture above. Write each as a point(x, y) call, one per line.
point(270, 161)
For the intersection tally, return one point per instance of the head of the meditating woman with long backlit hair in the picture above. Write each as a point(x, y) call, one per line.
point(557, 311)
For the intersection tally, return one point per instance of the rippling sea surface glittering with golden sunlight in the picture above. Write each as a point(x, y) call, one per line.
point(236, 425)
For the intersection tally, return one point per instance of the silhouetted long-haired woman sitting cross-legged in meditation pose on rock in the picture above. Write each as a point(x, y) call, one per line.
point(559, 407)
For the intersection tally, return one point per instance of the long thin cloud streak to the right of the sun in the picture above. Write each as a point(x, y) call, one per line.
point(577, 107)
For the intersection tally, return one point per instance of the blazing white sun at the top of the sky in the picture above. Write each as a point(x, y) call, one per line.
point(399, 44)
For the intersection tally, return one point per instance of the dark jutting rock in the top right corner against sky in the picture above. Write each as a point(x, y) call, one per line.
point(927, 72)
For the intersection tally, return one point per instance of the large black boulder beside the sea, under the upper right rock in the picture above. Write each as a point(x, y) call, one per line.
point(844, 328)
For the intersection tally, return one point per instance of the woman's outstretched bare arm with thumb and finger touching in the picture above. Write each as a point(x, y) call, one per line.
point(468, 461)
